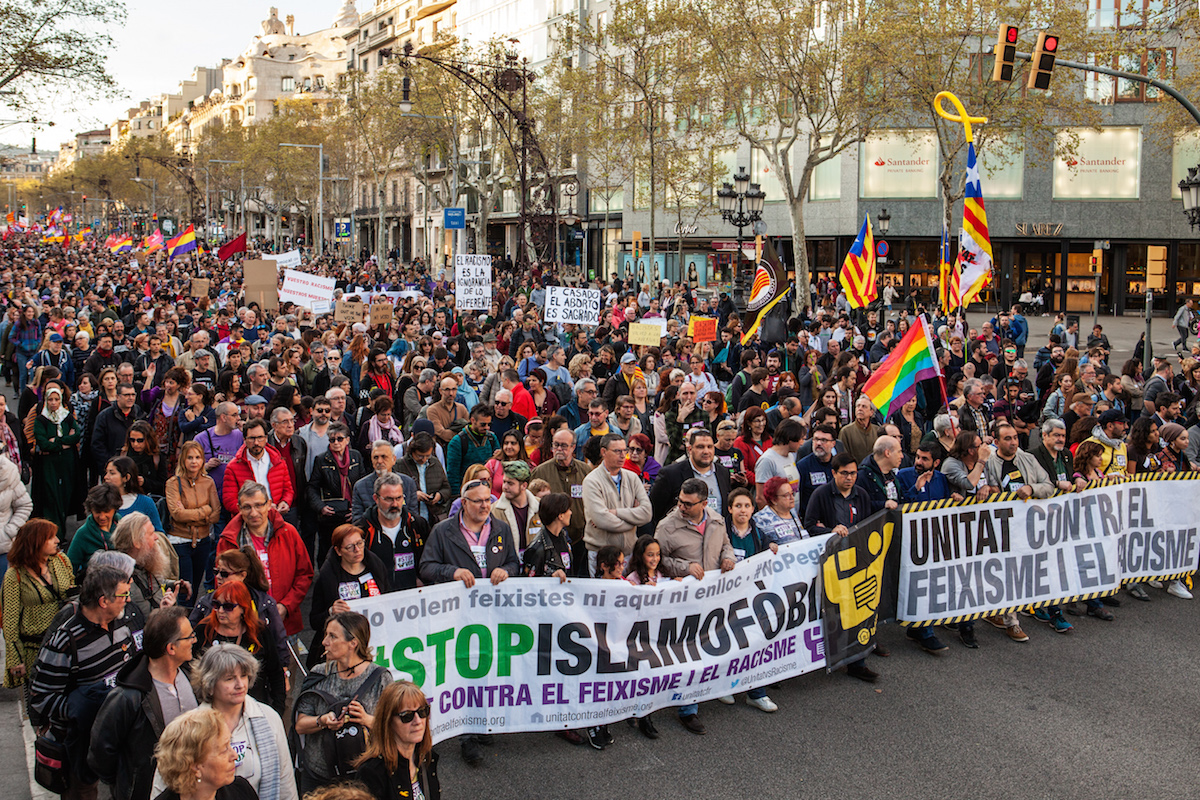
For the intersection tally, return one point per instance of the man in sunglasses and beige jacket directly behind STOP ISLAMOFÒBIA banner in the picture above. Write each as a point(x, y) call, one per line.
point(693, 542)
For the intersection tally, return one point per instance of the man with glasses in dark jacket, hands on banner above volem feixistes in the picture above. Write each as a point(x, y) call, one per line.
point(467, 546)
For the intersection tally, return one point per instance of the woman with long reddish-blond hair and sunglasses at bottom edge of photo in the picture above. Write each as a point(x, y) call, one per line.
point(400, 761)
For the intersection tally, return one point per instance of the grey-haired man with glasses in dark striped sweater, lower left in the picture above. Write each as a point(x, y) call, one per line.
point(79, 665)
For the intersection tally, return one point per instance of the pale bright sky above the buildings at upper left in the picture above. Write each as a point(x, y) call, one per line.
point(158, 47)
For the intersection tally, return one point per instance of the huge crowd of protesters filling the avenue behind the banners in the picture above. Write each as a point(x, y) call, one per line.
point(182, 477)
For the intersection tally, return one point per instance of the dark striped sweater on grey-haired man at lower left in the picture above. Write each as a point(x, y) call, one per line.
point(79, 654)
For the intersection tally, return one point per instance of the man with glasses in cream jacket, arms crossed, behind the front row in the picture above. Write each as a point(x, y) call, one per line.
point(615, 503)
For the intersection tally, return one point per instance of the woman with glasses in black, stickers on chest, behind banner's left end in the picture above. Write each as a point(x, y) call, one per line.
point(350, 573)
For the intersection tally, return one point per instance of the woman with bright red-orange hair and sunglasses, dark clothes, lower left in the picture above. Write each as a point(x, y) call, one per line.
point(236, 621)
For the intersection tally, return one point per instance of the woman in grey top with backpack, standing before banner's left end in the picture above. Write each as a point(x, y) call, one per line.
point(337, 705)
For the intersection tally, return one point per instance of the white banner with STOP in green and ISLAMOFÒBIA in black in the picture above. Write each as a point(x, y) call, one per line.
point(535, 654)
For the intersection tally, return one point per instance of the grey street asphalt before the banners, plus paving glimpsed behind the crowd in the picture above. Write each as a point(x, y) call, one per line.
point(1106, 713)
